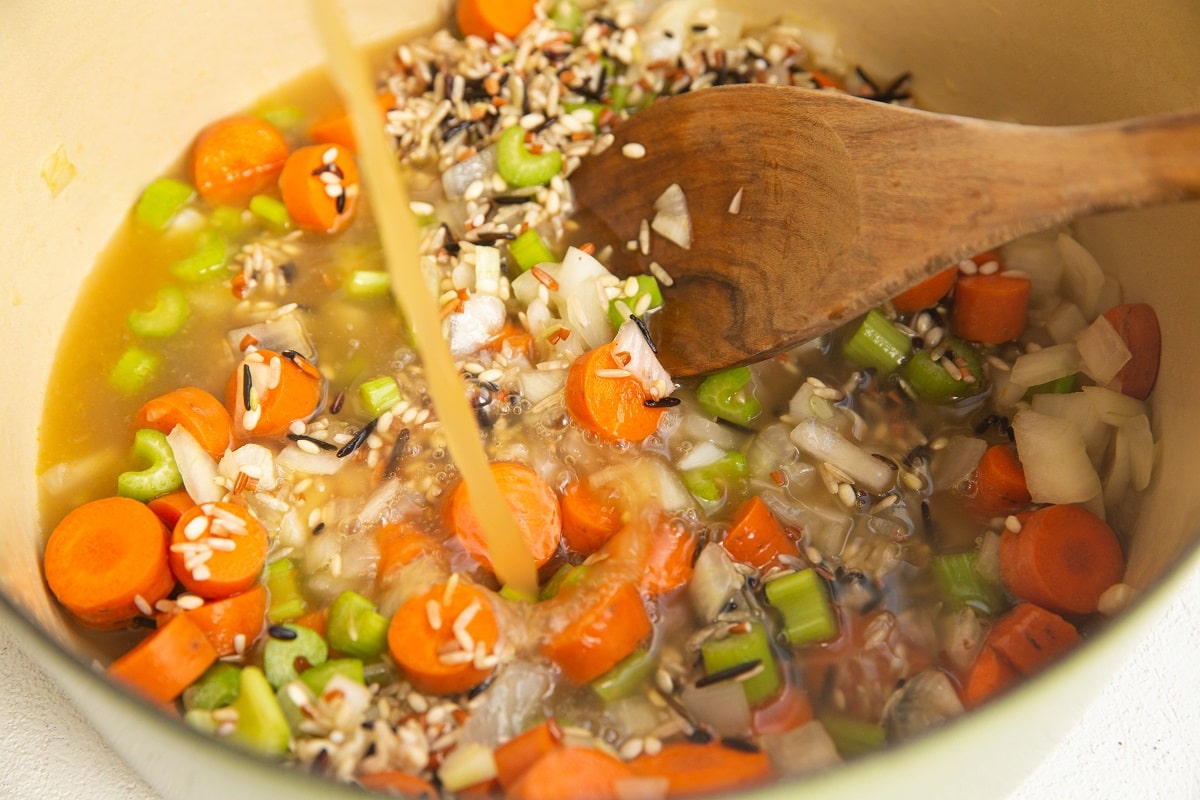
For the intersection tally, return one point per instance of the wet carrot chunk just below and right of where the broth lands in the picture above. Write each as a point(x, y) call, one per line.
point(607, 629)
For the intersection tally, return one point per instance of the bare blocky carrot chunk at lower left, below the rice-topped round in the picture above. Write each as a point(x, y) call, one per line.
point(166, 663)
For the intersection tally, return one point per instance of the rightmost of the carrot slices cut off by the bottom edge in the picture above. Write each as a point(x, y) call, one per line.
point(693, 769)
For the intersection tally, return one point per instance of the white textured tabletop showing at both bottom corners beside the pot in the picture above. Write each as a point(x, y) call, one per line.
point(1141, 739)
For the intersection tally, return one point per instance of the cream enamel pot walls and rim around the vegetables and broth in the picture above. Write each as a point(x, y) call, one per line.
point(118, 95)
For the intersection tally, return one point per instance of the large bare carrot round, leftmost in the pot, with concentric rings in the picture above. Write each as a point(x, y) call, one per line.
point(107, 561)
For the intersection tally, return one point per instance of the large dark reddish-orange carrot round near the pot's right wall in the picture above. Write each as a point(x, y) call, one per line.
point(1063, 558)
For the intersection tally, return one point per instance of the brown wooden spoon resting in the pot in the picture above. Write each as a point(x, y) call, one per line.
point(845, 203)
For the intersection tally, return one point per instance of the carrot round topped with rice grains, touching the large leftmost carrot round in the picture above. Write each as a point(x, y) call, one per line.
point(218, 550)
